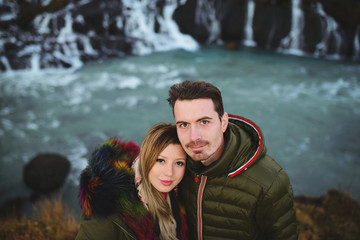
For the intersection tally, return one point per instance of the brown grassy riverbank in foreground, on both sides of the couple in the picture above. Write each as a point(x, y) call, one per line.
point(335, 216)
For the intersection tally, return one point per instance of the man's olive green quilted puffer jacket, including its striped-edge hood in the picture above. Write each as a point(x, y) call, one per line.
point(245, 195)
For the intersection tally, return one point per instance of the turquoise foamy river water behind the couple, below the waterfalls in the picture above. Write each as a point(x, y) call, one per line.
point(309, 111)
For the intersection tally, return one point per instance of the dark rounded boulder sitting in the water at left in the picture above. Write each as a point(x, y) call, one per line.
point(46, 172)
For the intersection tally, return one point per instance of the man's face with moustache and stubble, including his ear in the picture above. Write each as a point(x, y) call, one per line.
point(199, 129)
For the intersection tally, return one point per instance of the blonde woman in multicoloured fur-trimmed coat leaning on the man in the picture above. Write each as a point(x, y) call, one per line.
point(115, 207)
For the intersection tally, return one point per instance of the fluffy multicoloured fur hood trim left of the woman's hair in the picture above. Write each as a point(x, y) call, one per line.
point(107, 183)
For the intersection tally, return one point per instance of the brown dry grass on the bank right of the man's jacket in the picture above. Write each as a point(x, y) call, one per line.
point(335, 216)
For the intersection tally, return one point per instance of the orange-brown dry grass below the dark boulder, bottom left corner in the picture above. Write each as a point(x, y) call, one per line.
point(53, 220)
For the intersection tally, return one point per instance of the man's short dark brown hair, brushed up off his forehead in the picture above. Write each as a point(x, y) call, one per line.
point(190, 90)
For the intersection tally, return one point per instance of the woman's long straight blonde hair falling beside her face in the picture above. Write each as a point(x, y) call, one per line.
point(155, 141)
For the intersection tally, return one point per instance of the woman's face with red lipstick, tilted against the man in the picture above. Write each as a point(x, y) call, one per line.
point(168, 169)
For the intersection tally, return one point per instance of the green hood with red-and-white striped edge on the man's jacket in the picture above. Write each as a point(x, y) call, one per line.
point(244, 144)
